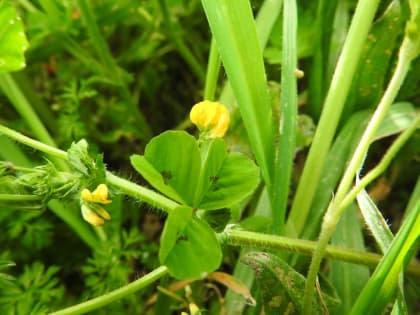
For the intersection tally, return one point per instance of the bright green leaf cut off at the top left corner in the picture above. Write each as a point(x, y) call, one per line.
point(13, 42)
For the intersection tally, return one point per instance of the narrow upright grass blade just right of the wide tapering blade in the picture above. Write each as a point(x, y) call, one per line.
point(288, 101)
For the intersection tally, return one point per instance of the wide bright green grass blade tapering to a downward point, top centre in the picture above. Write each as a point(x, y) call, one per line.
point(233, 28)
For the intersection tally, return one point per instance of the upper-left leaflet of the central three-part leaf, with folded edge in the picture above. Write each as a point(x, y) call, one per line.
point(175, 155)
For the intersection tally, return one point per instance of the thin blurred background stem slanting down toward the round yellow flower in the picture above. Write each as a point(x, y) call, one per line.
point(179, 43)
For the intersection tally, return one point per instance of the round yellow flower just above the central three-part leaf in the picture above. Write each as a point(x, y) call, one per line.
point(211, 118)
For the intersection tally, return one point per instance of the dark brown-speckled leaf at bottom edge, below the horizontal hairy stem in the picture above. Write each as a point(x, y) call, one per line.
point(282, 287)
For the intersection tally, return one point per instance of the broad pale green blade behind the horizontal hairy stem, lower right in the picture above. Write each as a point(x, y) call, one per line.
point(347, 278)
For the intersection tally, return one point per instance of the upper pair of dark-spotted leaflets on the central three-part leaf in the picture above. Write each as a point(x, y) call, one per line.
point(204, 177)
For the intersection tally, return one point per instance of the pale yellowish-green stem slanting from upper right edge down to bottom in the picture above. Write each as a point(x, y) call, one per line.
point(336, 209)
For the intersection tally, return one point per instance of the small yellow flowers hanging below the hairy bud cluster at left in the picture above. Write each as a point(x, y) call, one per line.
point(91, 202)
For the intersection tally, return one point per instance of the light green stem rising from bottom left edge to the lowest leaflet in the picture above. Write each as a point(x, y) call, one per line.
point(115, 295)
